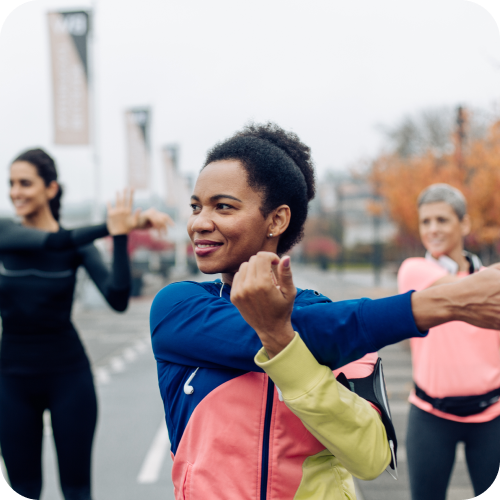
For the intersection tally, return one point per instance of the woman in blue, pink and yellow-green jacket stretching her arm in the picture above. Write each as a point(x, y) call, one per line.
point(245, 363)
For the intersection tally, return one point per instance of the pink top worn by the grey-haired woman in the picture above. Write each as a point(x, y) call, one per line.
point(455, 359)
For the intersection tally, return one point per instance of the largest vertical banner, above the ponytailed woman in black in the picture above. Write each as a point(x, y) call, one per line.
point(68, 33)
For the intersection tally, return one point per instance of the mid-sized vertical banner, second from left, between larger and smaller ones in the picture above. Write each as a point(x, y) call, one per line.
point(137, 123)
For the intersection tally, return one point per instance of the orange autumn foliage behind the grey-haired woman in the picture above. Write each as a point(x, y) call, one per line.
point(476, 173)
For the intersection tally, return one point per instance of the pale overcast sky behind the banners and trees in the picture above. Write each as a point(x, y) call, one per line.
point(330, 70)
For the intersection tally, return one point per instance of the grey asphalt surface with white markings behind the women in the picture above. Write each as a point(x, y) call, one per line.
point(131, 449)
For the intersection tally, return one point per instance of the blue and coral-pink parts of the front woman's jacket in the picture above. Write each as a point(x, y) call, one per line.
point(230, 436)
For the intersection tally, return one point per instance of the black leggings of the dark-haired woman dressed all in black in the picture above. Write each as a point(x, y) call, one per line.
point(71, 399)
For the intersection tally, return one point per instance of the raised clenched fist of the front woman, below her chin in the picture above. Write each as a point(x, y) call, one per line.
point(264, 293)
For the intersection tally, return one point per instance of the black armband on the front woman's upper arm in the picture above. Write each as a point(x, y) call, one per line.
point(372, 388)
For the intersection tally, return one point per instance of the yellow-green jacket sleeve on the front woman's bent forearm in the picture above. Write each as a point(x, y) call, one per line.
point(343, 422)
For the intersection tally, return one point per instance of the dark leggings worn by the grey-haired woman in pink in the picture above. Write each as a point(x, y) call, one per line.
point(431, 442)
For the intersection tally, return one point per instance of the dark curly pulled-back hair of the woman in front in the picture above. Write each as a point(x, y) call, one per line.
point(279, 165)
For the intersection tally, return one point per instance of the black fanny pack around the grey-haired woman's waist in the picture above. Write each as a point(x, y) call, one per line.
point(461, 406)
